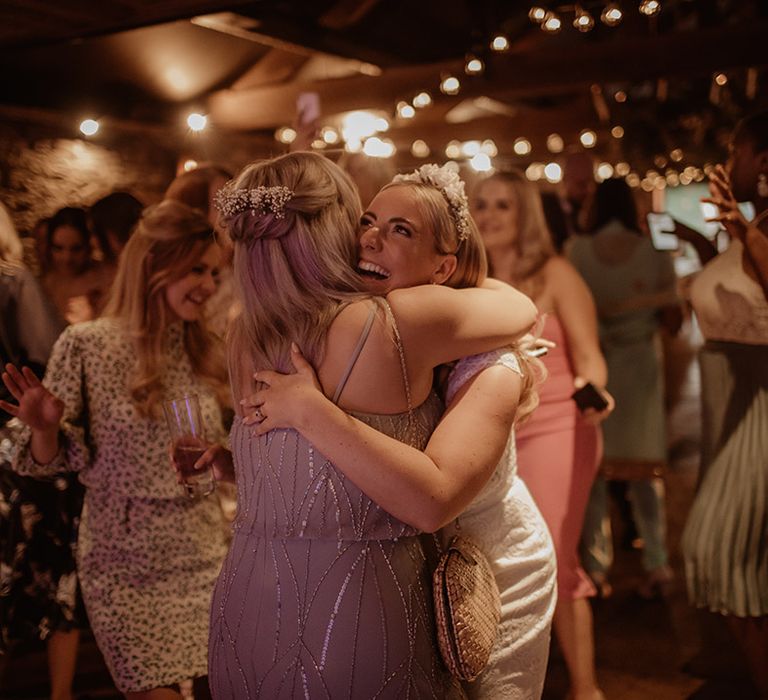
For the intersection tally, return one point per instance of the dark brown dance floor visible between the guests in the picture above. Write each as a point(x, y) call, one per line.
point(645, 650)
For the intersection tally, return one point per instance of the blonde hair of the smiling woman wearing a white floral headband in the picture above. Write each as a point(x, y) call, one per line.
point(471, 270)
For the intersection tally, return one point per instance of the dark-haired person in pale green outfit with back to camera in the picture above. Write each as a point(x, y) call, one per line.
point(632, 284)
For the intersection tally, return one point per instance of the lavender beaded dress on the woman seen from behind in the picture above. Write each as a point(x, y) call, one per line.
point(323, 593)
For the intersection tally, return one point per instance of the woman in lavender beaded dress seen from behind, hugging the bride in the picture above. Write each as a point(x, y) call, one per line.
point(325, 590)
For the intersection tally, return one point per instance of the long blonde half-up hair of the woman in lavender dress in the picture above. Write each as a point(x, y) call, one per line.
point(293, 269)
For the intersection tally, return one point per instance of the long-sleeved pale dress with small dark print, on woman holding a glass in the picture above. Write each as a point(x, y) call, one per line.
point(147, 555)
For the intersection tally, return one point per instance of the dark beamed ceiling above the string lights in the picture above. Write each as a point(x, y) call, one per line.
point(244, 64)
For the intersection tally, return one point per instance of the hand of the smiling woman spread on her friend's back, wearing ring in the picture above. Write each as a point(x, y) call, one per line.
point(285, 399)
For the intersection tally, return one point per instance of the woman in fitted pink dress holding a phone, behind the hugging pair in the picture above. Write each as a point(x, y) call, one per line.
point(559, 448)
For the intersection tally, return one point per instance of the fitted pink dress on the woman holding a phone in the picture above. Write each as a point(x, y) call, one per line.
point(558, 455)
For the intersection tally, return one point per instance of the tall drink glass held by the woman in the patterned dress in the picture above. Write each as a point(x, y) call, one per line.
point(185, 424)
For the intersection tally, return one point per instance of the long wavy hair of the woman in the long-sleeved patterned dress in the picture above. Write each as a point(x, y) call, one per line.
point(169, 241)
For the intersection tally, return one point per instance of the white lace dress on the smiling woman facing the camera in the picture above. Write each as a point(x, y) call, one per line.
point(506, 524)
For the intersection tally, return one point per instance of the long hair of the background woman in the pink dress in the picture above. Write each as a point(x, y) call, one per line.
point(532, 239)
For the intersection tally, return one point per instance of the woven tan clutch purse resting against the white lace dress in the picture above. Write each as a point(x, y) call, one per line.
point(467, 608)
